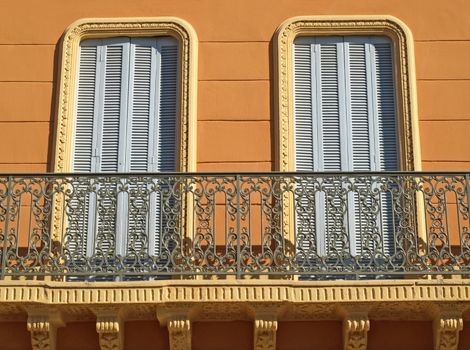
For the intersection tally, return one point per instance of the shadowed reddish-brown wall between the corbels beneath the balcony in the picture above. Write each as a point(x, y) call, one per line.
point(238, 335)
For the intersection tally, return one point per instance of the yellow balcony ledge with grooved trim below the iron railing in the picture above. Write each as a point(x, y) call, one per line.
point(237, 300)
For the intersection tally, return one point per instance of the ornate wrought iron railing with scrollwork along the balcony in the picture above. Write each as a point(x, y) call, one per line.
point(314, 225)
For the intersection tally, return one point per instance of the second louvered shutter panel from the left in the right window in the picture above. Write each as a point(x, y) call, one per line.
point(333, 143)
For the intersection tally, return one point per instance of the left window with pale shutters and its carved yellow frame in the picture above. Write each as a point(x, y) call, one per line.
point(127, 105)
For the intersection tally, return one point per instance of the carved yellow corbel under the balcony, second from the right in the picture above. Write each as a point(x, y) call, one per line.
point(356, 324)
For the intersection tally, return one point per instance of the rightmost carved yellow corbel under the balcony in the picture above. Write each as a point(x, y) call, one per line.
point(447, 325)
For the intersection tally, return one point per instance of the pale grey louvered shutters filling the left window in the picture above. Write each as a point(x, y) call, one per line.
point(123, 110)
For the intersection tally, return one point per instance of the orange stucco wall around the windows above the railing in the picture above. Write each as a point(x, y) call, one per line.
point(235, 102)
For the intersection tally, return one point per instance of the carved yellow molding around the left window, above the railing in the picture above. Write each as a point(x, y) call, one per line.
point(131, 27)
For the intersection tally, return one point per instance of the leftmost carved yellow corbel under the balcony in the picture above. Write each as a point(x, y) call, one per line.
point(42, 324)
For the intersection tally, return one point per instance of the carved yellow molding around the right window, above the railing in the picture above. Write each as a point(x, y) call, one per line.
point(388, 26)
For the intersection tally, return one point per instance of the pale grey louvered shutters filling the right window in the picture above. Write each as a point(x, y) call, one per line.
point(354, 129)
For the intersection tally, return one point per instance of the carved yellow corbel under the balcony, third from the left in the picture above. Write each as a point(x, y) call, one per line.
point(178, 321)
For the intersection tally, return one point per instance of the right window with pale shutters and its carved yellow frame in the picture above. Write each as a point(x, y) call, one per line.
point(346, 103)
